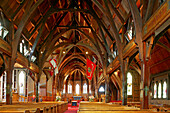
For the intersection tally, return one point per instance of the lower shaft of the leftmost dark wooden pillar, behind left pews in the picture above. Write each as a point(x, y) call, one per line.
point(9, 84)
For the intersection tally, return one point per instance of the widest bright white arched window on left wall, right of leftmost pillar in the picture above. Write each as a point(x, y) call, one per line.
point(21, 82)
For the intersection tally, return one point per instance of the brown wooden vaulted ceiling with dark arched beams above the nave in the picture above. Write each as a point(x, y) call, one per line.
point(70, 26)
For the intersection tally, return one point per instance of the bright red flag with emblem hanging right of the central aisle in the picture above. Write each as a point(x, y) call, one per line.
point(90, 69)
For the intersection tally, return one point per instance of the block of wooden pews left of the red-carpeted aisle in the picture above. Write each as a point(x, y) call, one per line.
point(46, 107)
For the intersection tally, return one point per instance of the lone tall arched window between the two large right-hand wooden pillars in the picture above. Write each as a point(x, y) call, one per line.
point(129, 84)
